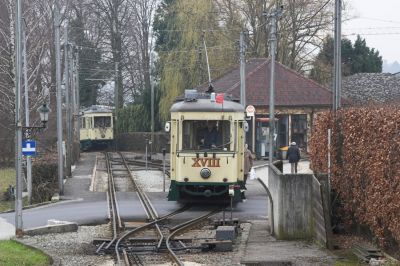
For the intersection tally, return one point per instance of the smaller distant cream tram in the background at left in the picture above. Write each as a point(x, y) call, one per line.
point(97, 128)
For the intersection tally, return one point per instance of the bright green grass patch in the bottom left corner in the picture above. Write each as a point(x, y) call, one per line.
point(13, 253)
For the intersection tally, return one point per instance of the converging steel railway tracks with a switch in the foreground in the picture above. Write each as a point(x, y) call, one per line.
point(125, 244)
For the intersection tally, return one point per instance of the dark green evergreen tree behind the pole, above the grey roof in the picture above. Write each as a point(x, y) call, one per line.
point(357, 58)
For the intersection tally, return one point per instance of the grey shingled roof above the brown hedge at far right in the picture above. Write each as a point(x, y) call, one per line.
point(365, 88)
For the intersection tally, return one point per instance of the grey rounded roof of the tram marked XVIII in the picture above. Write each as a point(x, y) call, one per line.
point(205, 105)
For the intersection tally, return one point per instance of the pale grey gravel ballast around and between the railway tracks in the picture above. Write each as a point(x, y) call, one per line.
point(77, 249)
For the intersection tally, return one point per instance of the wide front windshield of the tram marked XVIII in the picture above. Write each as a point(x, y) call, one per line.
point(206, 134)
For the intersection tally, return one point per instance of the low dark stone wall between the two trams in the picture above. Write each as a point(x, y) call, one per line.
point(136, 141)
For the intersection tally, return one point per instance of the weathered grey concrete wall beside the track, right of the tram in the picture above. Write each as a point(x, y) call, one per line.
point(293, 204)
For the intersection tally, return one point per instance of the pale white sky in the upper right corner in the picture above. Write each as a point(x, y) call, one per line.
point(378, 21)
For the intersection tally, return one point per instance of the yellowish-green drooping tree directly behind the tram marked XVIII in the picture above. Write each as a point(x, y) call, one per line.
point(181, 27)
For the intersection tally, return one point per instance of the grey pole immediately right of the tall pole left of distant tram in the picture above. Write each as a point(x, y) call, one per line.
point(67, 103)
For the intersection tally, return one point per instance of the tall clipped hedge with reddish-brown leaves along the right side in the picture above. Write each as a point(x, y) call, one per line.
point(365, 165)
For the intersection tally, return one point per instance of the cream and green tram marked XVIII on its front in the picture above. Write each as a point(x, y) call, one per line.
point(200, 171)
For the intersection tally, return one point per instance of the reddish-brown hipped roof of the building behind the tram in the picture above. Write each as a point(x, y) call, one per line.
point(291, 88)
